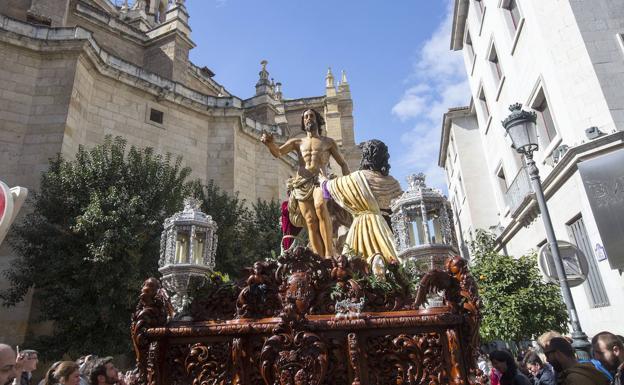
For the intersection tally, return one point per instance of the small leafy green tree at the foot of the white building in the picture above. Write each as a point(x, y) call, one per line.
point(517, 305)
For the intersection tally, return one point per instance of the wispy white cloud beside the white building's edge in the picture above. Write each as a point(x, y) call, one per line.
point(440, 82)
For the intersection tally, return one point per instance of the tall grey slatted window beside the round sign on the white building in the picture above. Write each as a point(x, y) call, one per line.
point(594, 287)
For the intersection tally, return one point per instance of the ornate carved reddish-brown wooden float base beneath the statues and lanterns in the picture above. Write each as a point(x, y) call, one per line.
point(307, 320)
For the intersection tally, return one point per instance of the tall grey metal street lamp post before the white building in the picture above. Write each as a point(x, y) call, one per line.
point(520, 125)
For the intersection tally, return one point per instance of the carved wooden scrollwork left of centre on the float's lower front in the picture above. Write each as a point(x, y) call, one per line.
point(210, 363)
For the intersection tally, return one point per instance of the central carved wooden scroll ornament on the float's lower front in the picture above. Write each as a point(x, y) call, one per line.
point(294, 360)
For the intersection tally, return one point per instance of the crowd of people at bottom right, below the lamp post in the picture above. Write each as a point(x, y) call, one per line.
point(555, 363)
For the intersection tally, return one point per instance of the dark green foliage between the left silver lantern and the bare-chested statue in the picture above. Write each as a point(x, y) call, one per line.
point(245, 234)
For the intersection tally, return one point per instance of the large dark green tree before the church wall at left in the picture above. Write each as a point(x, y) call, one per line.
point(92, 238)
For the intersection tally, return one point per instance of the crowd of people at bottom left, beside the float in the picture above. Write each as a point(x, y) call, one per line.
point(16, 368)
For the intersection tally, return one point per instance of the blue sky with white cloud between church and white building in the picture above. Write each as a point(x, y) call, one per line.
point(396, 54)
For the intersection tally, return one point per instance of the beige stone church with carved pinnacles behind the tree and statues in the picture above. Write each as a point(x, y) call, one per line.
point(74, 71)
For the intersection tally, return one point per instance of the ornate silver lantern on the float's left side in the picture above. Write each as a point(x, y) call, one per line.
point(187, 251)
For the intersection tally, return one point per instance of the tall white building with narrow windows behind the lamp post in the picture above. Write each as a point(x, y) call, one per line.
point(563, 59)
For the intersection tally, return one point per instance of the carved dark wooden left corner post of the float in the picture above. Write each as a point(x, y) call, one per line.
point(151, 311)
